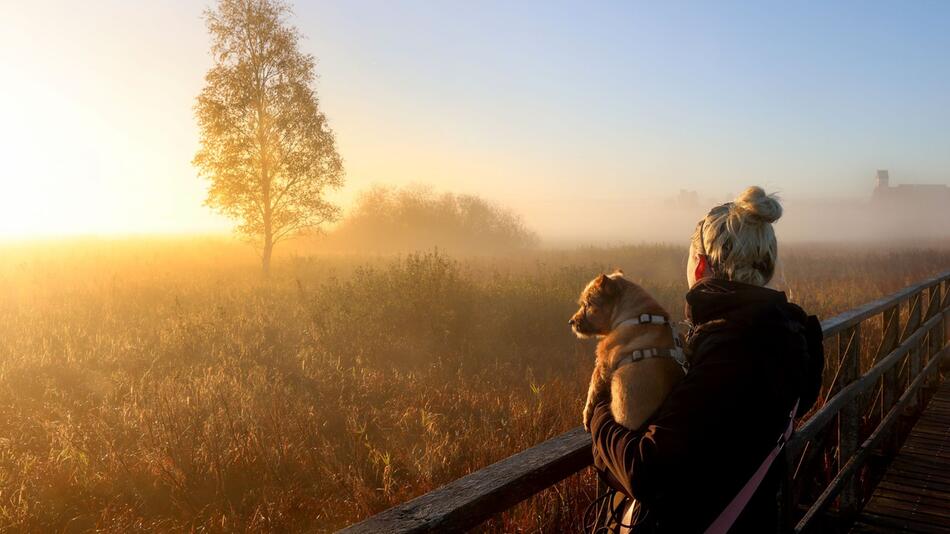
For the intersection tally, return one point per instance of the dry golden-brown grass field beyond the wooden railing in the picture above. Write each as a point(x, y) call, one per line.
point(164, 385)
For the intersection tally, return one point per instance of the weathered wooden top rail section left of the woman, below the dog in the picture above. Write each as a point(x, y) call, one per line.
point(470, 500)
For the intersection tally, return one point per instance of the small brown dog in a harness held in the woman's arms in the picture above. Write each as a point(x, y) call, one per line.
point(639, 357)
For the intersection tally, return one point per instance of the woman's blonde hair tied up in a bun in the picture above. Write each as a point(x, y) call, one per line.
point(738, 239)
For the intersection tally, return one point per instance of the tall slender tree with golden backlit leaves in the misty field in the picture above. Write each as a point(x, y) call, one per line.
point(265, 145)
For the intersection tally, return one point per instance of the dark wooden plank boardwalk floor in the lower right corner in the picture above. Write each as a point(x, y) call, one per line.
point(914, 495)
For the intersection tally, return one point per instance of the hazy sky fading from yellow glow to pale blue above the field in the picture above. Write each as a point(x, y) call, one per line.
point(552, 108)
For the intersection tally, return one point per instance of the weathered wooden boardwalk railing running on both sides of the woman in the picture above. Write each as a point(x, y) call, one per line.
point(865, 400)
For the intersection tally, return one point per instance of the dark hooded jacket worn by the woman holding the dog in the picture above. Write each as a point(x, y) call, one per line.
point(752, 355)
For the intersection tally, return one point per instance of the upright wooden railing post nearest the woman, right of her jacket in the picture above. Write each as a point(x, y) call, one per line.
point(849, 419)
